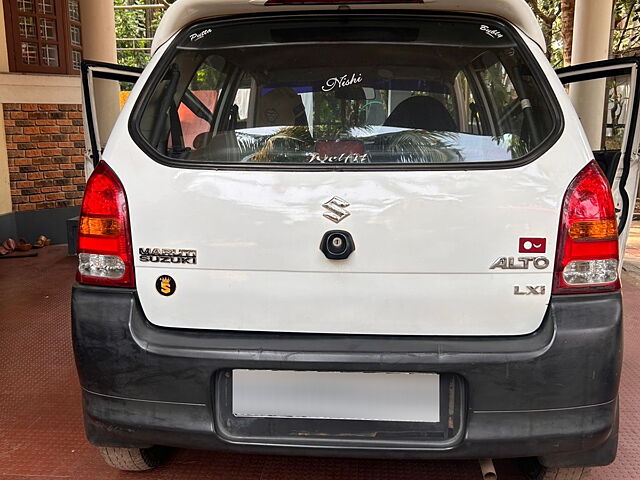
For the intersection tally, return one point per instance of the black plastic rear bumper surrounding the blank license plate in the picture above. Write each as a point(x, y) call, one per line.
point(551, 394)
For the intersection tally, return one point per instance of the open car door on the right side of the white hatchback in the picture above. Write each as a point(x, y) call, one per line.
point(606, 96)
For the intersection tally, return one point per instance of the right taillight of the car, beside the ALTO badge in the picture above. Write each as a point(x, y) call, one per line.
point(587, 259)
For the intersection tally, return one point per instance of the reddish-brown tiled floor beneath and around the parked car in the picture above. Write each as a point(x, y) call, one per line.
point(41, 435)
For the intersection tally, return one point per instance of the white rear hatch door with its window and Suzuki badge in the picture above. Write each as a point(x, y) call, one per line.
point(454, 222)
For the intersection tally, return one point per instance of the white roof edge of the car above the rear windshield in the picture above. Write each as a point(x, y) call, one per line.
point(185, 12)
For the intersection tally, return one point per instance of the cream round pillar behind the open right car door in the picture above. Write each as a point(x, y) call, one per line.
point(591, 42)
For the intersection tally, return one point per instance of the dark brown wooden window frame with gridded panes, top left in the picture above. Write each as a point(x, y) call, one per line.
point(63, 41)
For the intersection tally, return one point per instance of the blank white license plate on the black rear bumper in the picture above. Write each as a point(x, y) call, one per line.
point(393, 397)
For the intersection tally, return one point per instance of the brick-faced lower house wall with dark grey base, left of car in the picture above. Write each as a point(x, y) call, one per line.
point(44, 146)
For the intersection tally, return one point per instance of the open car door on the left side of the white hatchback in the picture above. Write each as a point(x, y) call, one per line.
point(105, 88)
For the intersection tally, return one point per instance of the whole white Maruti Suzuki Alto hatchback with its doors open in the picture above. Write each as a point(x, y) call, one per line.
point(365, 229)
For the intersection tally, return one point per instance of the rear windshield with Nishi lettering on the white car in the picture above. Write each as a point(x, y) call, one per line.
point(348, 90)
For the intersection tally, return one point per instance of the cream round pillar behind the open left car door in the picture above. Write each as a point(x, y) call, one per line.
point(99, 43)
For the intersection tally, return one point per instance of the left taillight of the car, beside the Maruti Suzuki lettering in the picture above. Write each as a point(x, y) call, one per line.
point(104, 236)
